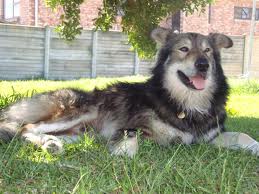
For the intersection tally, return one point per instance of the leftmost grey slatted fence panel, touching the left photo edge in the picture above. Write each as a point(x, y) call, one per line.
point(21, 52)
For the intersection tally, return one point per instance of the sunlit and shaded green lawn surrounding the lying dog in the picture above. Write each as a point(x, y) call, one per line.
point(87, 167)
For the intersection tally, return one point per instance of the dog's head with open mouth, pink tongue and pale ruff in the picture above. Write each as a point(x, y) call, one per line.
point(190, 64)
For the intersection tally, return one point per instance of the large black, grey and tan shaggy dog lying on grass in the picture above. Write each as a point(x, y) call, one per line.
point(182, 102)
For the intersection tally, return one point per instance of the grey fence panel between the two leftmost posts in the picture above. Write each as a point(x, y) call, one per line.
point(70, 60)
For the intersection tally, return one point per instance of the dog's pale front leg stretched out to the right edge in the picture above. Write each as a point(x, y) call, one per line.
point(235, 140)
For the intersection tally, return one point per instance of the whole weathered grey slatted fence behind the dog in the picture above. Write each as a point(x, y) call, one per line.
point(30, 52)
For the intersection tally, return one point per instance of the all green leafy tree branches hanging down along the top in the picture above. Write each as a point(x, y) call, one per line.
point(139, 17)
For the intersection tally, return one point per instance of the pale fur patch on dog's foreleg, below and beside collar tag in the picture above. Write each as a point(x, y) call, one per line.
point(164, 133)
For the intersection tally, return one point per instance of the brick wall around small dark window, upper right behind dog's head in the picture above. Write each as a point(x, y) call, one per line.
point(222, 19)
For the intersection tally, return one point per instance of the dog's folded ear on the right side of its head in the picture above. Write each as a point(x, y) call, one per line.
point(221, 40)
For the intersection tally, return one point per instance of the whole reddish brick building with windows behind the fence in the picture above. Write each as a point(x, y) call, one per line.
point(227, 16)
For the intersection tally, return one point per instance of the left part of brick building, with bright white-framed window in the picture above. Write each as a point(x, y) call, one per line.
point(35, 13)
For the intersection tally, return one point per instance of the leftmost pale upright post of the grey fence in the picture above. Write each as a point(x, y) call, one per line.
point(46, 53)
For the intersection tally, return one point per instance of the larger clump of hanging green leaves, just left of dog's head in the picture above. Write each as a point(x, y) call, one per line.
point(140, 17)
